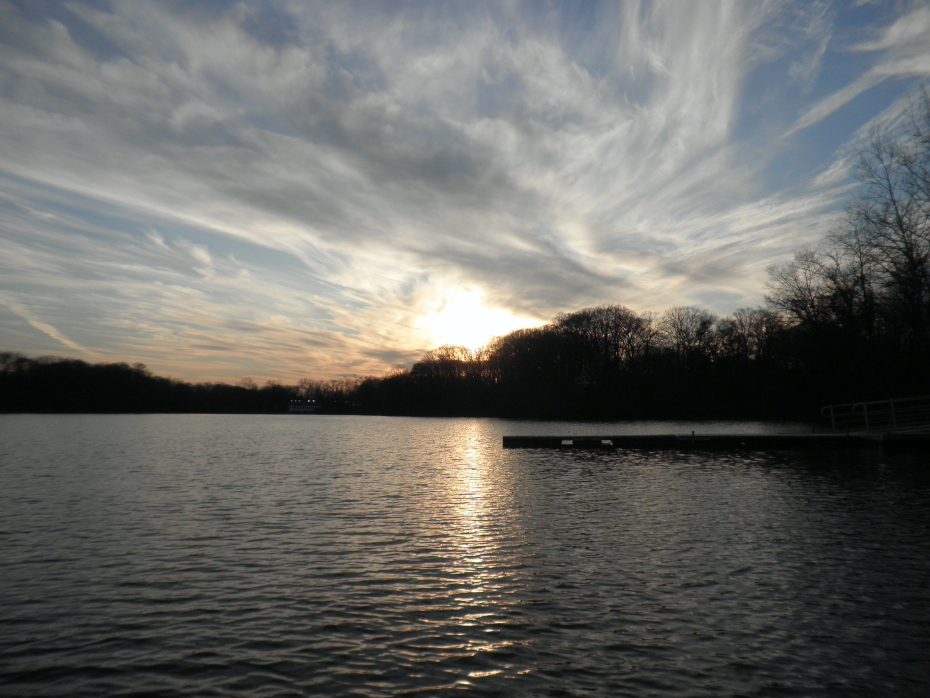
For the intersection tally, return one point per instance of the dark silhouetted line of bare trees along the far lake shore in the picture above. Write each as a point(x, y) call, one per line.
point(847, 320)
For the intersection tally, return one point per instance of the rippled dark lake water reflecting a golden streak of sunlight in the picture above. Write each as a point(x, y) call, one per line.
point(331, 556)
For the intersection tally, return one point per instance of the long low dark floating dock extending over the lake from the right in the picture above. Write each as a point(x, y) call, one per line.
point(756, 442)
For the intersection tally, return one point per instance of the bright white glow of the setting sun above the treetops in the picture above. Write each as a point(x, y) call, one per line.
point(464, 320)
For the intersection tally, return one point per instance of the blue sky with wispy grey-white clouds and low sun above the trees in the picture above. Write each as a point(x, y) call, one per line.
point(296, 189)
